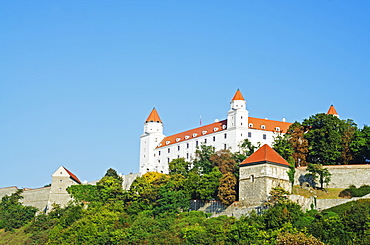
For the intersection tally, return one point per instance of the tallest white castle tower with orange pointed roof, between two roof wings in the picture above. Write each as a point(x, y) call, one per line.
point(237, 120)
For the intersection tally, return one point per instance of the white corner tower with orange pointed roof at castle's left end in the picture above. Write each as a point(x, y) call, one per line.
point(153, 135)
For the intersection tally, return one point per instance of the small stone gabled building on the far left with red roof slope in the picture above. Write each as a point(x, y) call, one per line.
point(61, 179)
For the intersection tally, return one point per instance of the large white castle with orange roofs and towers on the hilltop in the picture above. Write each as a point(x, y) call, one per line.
point(157, 150)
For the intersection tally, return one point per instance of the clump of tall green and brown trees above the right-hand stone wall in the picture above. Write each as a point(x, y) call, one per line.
point(324, 139)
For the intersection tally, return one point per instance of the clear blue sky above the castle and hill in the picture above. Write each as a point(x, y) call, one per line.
point(79, 78)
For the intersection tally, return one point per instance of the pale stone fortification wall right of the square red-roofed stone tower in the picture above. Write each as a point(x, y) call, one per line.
point(342, 175)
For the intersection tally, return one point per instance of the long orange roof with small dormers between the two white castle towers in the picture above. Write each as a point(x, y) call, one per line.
point(193, 133)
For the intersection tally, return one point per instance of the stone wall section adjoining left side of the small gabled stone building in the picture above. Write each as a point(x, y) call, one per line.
point(37, 198)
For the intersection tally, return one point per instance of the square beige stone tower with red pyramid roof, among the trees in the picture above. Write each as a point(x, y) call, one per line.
point(259, 173)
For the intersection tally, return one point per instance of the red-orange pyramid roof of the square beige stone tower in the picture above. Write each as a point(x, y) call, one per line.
point(265, 154)
